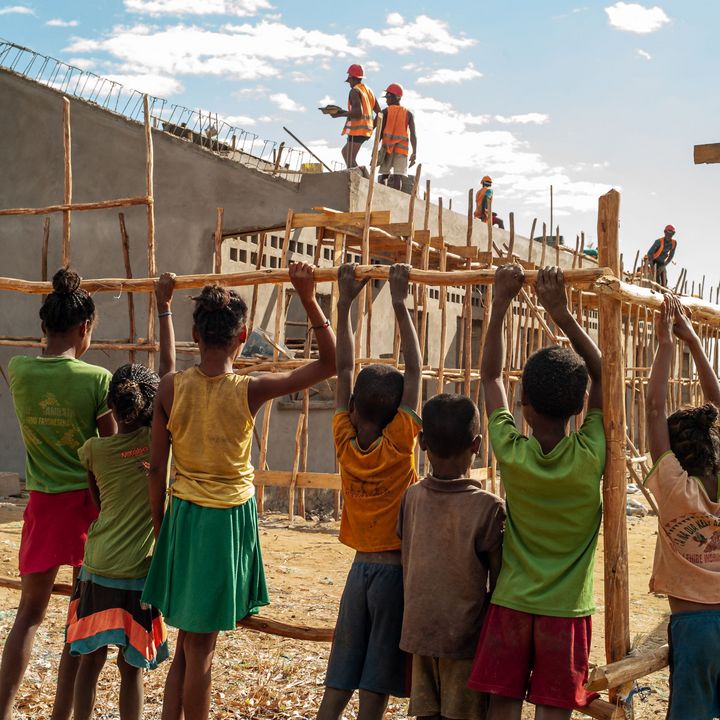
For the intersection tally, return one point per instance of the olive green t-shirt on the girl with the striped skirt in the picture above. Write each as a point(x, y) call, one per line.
point(120, 541)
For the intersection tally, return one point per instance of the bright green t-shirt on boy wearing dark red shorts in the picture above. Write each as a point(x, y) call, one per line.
point(554, 509)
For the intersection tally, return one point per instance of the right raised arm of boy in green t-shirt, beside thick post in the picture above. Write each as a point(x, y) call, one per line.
point(550, 289)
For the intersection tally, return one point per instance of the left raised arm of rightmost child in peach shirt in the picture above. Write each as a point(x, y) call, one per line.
point(658, 433)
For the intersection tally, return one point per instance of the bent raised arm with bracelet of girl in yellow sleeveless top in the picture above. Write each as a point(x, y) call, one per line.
point(271, 385)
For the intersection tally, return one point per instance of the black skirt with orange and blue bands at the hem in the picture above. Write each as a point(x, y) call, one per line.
point(108, 611)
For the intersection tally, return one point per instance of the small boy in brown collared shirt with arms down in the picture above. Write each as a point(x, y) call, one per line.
point(451, 532)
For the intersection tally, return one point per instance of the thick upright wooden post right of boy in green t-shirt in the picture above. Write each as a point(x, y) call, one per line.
point(617, 598)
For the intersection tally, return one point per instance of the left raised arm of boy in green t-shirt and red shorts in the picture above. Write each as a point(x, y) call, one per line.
point(508, 283)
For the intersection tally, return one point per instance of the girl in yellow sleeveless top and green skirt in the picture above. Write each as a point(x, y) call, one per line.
point(207, 572)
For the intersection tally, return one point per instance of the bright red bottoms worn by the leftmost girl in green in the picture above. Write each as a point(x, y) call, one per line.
point(55, 530)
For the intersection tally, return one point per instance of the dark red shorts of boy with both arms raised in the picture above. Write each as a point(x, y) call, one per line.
point(540, 657)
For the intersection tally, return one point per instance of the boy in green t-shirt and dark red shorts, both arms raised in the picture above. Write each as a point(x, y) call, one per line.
point(536, 638)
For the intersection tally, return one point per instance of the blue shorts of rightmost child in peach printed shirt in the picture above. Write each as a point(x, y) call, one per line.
point(694, 666)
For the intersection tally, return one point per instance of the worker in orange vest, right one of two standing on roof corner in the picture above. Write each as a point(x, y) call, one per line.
point(398, 132)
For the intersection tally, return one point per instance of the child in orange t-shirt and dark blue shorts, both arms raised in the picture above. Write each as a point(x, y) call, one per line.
point(374, 428)
